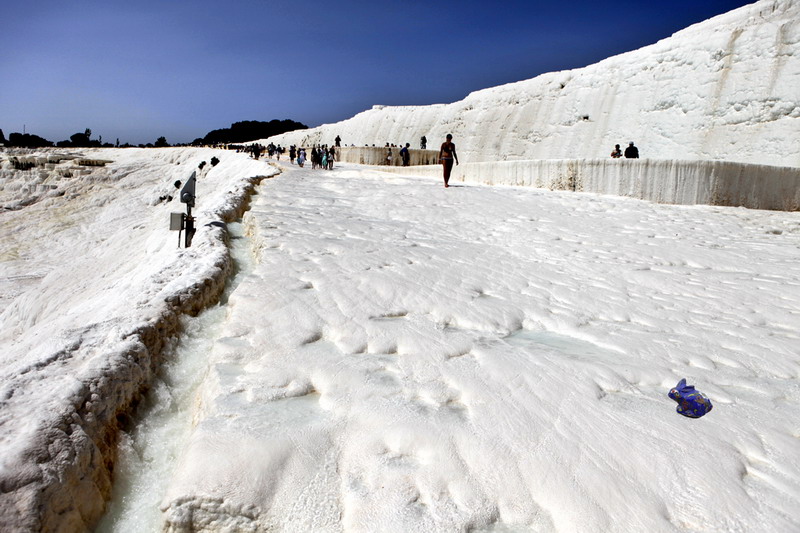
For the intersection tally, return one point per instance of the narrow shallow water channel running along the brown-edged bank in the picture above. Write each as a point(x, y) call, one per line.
point(150, 452)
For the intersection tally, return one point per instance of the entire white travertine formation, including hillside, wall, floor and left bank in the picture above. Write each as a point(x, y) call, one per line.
point(395, 356)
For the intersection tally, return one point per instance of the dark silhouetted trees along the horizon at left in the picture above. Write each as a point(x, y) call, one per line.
point(239, 132)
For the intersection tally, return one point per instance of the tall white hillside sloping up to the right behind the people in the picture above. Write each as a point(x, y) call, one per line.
point(726, 88)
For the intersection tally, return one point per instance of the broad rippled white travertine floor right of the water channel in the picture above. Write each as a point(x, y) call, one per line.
point(406, 357)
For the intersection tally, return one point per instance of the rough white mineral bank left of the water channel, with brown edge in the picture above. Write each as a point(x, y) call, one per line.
point(88, 267)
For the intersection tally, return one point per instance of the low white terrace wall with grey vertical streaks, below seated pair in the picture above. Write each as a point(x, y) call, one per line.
point(663, 181)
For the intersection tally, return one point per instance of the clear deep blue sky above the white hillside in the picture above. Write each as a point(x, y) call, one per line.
point(137, 70)
